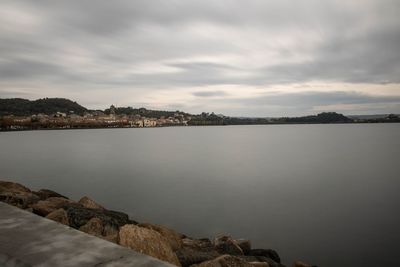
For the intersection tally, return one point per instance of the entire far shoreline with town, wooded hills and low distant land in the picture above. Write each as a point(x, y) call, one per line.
point(59, 113)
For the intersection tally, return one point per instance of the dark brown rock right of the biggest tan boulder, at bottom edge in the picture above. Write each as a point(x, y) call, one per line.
point(189, 256)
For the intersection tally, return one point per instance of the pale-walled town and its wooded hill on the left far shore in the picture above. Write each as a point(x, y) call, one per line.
point(59, 117)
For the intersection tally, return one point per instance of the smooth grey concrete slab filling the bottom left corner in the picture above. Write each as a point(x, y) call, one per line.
point(30, 240)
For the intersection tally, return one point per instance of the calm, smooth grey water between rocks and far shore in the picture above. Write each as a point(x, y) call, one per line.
point(325, 194)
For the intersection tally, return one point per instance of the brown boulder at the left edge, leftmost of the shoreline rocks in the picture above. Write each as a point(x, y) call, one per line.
point(17, 195)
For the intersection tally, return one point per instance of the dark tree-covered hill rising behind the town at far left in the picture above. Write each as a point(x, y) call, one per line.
point(24, 107)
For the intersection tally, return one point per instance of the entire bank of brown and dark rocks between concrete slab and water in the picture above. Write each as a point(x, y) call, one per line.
point(154, 240)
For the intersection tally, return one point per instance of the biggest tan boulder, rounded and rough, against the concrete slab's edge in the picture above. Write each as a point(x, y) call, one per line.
point(147, 241)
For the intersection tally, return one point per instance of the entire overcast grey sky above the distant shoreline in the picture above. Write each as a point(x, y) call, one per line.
point(257, 58)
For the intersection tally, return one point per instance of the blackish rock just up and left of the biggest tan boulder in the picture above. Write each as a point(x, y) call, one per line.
point(112, 220)
